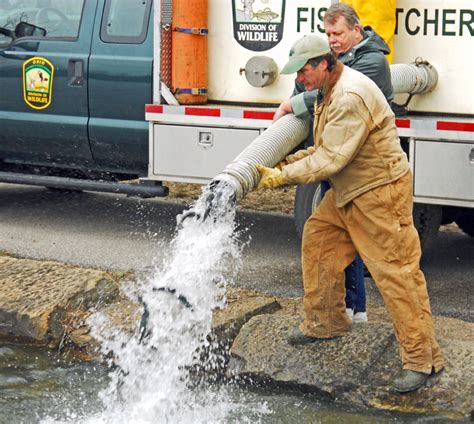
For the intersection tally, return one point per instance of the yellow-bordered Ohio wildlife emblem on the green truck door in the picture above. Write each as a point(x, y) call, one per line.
point(38, 82)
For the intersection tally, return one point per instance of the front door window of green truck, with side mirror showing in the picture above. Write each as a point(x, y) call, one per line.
point(53, 18)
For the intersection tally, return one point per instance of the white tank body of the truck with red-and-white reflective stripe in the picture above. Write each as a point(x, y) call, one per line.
point(248, 41)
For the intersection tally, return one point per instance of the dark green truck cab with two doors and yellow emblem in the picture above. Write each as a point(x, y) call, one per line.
point(75, 77)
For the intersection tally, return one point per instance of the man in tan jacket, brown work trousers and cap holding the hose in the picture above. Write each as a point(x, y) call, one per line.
point(368, 210)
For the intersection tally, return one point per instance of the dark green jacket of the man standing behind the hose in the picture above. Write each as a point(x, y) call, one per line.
point(367, 57)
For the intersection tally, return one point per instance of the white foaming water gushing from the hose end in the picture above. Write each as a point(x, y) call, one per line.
point(152, 380)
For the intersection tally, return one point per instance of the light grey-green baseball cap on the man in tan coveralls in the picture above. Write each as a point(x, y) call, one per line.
point(305, 48)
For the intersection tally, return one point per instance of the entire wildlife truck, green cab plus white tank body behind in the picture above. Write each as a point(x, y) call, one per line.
point(76, 77)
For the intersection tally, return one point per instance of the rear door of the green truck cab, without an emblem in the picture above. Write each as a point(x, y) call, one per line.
point(120, 84)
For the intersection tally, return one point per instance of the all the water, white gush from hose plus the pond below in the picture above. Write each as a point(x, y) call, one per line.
point(152, 377)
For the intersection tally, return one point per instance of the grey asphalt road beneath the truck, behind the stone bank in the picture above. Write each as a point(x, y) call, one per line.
point(118, 233)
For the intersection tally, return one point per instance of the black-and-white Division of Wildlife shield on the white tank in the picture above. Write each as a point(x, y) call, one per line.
point(258, 24)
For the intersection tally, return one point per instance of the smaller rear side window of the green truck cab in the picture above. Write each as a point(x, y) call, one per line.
point(125, 21)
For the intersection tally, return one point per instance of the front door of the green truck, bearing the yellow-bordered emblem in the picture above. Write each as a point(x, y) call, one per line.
point(44, 51)
